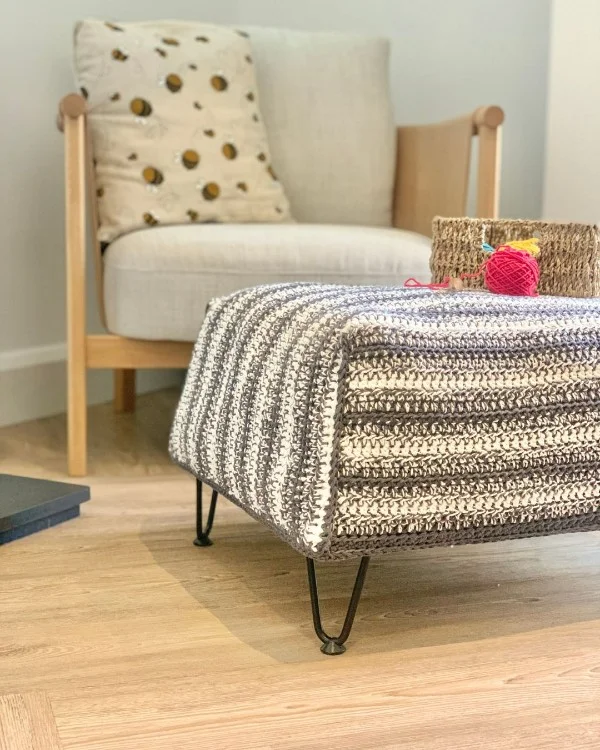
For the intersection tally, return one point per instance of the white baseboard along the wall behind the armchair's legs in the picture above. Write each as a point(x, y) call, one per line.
point(33, 383)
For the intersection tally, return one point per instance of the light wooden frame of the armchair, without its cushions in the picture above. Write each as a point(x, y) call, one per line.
point(432, 178)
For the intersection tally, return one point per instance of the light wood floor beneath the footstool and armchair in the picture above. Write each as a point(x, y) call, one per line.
point(117, 634)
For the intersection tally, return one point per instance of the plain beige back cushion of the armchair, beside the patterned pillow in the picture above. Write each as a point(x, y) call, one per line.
point(326, 103)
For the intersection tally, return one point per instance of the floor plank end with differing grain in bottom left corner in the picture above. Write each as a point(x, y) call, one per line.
point(27, 723)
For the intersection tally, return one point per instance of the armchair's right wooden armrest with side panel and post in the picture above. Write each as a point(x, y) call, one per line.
point(432, 169)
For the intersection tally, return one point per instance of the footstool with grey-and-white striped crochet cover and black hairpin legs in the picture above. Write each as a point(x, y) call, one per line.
point(354, 421)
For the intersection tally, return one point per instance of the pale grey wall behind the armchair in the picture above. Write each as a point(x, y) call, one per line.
point(448, 58)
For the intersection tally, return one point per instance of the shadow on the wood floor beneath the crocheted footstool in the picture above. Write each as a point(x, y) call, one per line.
point(256, 586)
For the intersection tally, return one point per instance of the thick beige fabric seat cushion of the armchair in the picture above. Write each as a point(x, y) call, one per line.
point(159, 281)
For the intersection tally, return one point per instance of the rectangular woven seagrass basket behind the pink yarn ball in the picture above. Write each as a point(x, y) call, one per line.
point(569, 253)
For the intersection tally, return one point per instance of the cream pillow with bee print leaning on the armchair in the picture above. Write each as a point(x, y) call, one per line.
point(176, 128)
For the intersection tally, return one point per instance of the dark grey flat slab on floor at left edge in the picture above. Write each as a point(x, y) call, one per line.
point(30, 505)
